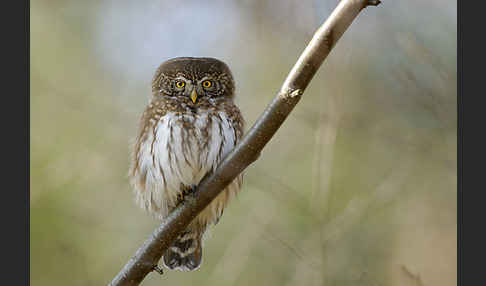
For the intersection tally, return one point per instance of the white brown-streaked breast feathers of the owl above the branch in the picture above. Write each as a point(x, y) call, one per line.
point(180, 149)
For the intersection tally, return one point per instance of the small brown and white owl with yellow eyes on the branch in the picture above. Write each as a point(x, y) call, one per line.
point(189, 126)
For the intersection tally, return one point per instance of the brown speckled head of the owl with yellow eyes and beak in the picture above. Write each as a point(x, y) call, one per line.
point(193, 79)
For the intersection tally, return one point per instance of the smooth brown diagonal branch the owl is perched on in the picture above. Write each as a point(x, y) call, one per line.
point(247, 151)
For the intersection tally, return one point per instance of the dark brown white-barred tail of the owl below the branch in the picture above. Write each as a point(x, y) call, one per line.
point(185, 253)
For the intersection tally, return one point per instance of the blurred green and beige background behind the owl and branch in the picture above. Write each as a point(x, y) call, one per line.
point(358, 187)
